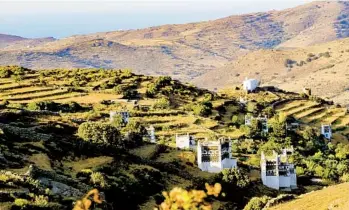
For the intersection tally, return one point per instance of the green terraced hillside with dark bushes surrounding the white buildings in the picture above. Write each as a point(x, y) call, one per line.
point(48, 161)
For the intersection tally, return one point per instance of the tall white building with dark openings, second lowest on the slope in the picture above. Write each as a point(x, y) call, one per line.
point(214, 156)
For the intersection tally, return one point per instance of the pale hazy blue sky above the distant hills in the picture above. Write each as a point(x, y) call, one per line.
point(44, 18)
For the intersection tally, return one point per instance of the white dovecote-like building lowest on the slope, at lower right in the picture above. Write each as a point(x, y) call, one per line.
point(277, 173)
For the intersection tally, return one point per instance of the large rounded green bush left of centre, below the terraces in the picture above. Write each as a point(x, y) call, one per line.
point(100, 133)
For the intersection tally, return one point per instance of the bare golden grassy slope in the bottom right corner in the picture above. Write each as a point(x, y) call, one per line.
point(334, 197)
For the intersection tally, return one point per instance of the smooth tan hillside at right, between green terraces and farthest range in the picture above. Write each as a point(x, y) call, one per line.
point(314, 67)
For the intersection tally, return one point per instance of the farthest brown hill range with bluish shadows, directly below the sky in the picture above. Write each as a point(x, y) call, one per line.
point(186, 51)
